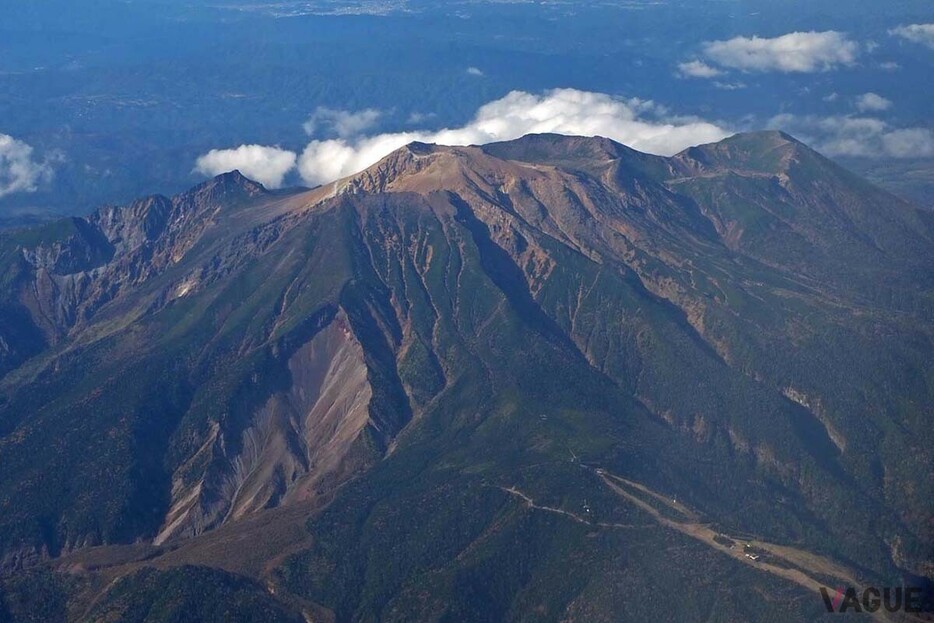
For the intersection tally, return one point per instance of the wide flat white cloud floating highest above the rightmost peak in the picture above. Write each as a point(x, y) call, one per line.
point(801, 52)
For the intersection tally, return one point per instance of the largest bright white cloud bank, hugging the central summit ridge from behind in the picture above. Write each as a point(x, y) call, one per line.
point(640, 124)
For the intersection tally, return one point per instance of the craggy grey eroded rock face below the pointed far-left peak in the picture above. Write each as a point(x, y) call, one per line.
point(89, 262)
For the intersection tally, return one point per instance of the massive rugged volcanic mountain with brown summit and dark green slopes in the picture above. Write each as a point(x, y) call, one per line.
point(547, 379)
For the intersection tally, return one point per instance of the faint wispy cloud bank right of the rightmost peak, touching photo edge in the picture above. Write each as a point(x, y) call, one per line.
point(866, 137)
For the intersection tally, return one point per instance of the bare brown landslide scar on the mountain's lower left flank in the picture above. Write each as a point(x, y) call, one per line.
point(300, 438)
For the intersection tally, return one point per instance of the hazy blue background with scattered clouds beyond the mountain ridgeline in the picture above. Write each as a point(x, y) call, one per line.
point(151, 95)
